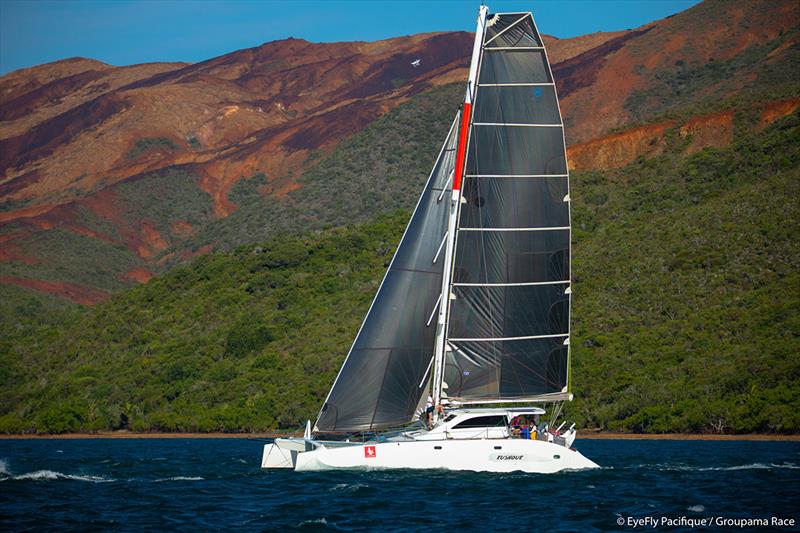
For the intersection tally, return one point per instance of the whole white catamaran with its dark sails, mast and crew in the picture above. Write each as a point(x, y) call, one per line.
point(474, 310)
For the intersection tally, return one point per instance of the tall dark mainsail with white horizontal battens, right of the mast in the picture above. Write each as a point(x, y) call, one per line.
point(508, 323)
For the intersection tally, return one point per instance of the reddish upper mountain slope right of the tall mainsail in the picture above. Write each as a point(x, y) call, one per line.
point(704, 56)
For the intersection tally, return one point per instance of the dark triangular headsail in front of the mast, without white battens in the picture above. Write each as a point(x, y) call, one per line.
point(385, 373)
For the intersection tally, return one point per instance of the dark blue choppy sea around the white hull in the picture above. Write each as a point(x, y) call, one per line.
point(216, 484)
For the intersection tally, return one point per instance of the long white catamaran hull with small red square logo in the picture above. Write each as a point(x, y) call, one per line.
point(489, 455)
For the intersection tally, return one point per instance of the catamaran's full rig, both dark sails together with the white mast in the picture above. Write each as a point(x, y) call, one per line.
point(487, 250)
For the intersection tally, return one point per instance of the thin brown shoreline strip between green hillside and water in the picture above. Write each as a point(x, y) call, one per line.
point(272, 435)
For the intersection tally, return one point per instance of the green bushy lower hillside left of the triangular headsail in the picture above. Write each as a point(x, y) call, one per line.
point(240, 341)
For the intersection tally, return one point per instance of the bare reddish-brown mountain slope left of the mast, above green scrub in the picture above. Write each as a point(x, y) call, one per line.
point(84, 146)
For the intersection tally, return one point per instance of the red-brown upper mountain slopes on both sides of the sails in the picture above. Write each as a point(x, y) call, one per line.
point(85, 145)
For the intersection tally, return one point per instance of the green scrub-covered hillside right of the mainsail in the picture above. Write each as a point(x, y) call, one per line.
point(687, 293)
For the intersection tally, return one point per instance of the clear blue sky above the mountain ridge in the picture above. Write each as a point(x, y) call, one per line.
point(125, 32)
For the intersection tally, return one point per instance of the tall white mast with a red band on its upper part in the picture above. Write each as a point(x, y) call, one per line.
point(458, 175)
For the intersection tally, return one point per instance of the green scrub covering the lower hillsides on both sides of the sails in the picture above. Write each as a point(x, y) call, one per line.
point(687, 298)
